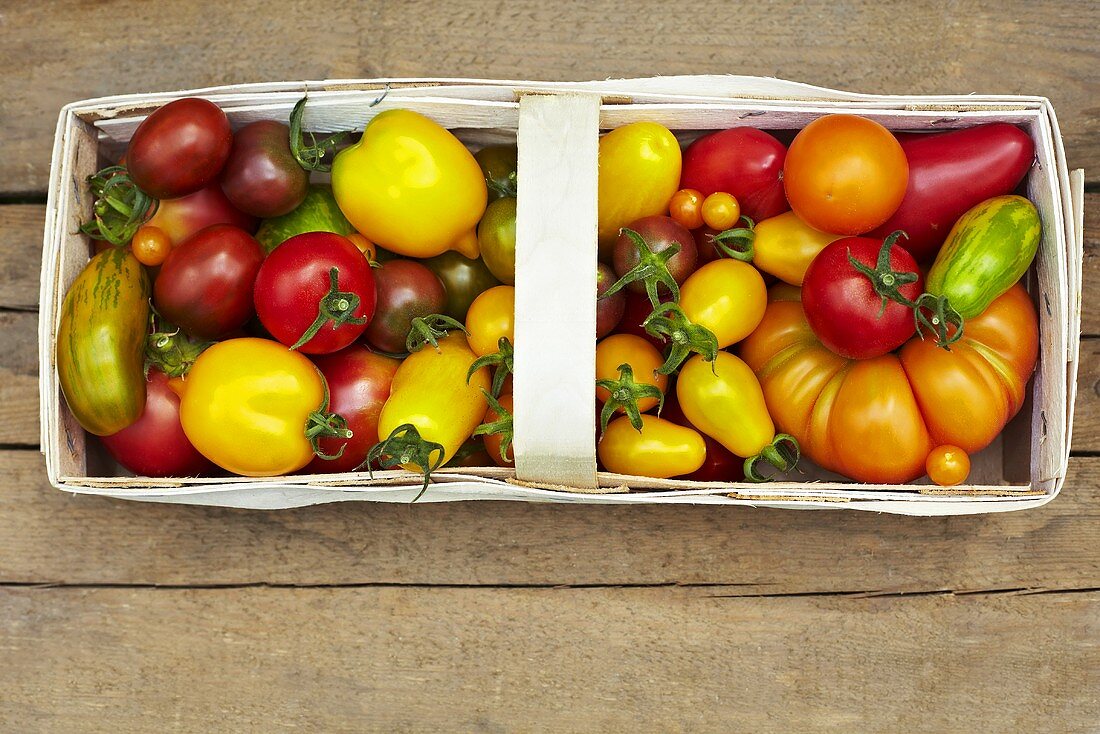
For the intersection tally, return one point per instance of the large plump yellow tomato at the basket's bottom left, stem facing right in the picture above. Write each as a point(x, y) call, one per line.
point(246, 404)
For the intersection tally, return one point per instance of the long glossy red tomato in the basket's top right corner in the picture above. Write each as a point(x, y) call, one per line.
point(952, 172)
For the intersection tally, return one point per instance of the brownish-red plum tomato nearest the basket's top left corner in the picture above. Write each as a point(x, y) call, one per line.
point(180, 149)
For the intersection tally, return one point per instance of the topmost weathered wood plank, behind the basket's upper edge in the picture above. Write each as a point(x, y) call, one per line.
point(57, 53)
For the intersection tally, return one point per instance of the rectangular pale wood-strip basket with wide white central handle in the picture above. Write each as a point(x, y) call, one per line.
point(558, 127)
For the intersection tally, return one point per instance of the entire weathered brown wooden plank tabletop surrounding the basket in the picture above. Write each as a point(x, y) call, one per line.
point(494, 617)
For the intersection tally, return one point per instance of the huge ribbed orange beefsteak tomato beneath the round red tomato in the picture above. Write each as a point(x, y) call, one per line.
point(877, 421)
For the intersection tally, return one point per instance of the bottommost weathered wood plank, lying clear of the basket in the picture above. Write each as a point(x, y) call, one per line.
point(411, 660)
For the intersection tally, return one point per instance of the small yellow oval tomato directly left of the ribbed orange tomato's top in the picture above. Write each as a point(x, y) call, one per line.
point(728, 297)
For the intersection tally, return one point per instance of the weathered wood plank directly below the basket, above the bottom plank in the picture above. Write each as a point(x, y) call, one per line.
point(758, 551)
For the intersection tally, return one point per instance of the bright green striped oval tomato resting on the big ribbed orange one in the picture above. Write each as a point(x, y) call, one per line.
point(988, 250)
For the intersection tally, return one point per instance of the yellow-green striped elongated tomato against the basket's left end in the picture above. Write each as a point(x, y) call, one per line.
point(102, 343)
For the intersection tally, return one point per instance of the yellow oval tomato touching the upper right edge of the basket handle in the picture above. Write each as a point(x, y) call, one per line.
point(640, 172)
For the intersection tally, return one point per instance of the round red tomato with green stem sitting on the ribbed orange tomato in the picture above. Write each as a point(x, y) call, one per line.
point(845, 308)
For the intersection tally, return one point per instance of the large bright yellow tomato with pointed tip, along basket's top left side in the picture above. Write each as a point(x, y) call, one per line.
point(411, 187)
